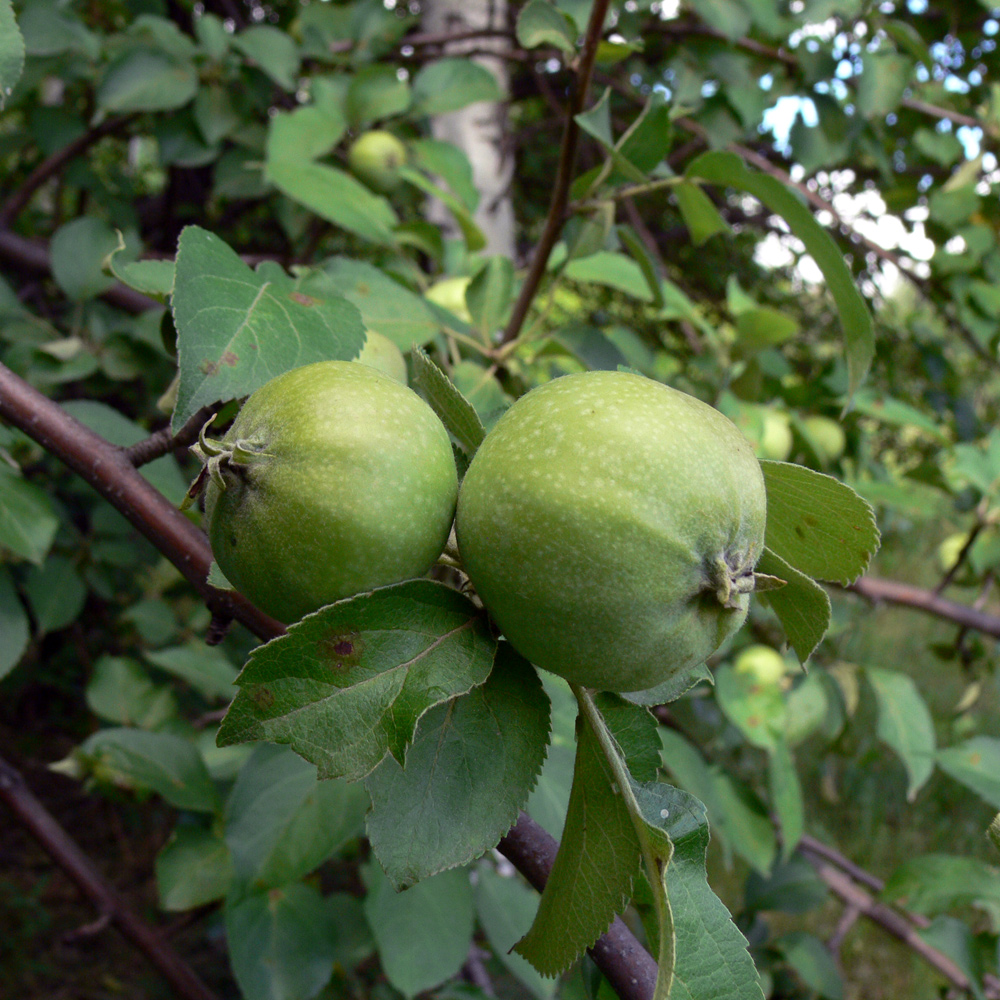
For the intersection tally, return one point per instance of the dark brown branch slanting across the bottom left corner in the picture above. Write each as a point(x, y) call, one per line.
point(66, 853)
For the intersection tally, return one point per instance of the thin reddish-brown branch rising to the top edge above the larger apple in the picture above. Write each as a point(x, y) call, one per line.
point(564, 174)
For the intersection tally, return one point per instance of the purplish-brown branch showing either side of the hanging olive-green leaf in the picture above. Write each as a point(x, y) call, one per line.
point(627, 966)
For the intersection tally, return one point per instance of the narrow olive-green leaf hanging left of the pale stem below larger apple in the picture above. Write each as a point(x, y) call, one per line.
point(592, 876)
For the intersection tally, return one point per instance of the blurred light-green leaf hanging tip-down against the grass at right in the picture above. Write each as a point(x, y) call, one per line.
point(905, 724)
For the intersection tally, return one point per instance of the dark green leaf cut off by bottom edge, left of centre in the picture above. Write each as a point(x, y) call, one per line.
point(282, 942)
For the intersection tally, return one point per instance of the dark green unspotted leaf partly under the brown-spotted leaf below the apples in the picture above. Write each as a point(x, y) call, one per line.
point(467, 775)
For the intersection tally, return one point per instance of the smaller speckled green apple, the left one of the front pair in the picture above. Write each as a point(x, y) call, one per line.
point(352, 486)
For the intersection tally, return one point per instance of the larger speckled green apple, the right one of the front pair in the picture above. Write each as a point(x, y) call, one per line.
point(611, 526)
